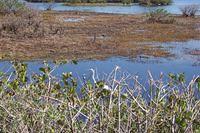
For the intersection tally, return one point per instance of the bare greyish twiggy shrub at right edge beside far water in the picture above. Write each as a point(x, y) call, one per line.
point(189, 10)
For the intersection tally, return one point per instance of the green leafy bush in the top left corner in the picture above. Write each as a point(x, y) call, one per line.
point(11, 6)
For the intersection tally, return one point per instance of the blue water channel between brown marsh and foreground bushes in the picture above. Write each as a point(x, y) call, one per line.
point(181, 61)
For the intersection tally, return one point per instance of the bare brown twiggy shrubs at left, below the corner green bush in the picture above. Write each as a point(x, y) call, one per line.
point(29, 24)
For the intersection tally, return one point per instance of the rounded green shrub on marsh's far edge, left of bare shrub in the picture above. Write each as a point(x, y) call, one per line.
point(159, 16)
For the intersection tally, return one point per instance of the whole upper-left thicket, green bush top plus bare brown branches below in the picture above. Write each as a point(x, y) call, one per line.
point(21, 22)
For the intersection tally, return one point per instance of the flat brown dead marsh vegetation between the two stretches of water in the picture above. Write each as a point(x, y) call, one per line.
point(97, 36)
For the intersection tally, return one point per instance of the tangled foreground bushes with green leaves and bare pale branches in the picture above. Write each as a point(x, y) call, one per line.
point(44, 103)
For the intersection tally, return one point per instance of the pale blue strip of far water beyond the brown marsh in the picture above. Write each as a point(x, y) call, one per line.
point(174, 8)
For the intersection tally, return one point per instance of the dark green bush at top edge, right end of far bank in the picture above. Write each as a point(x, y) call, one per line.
point(155, 2)
